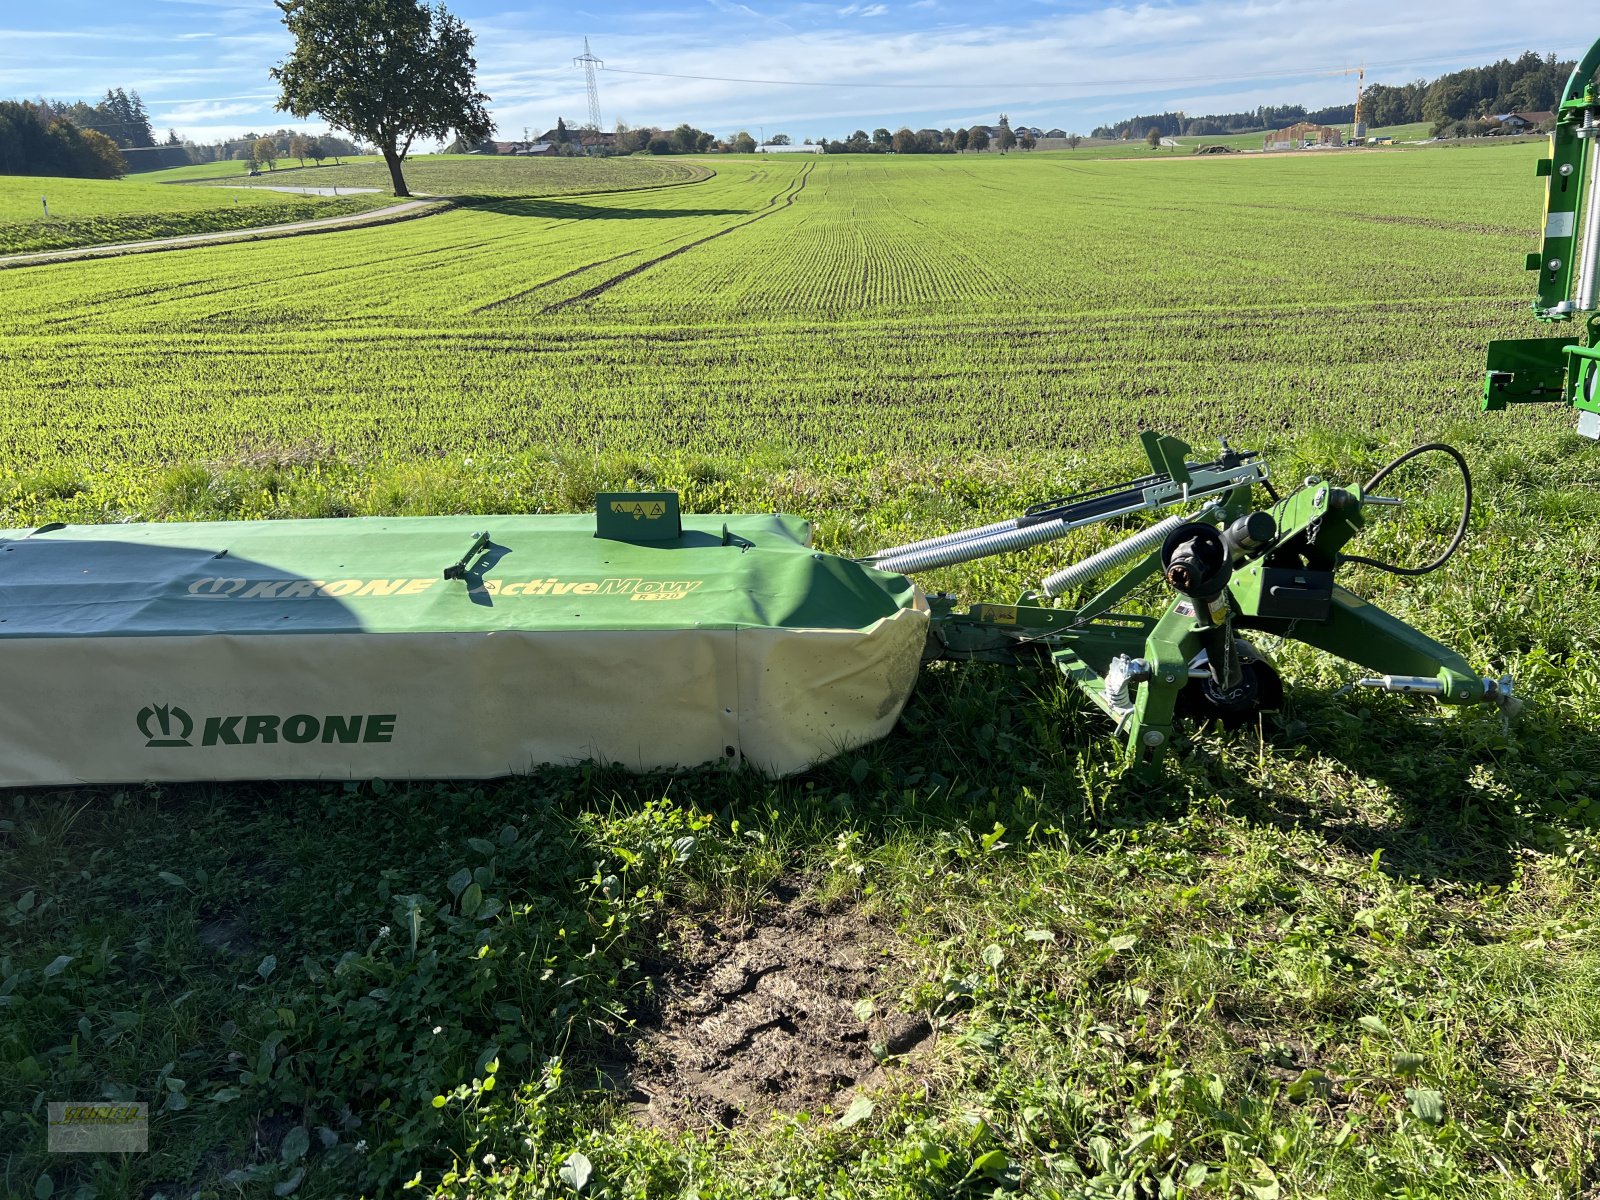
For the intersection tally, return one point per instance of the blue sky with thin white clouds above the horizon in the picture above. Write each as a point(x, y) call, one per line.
point(202, 65)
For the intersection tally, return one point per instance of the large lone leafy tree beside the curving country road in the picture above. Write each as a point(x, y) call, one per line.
point(388, 71)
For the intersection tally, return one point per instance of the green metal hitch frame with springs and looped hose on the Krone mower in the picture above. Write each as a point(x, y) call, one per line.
point(1231, 567)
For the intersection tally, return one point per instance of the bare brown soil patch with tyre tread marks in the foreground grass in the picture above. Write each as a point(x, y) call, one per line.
point(761, 1018)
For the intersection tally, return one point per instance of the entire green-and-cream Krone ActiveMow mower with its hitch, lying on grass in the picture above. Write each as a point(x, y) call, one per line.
point(473, 647)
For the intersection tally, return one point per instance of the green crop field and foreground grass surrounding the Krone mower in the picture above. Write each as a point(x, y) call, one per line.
point(1353, 953)
